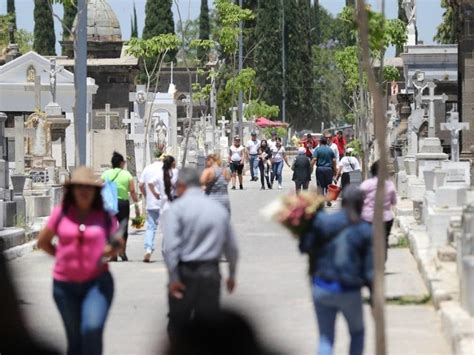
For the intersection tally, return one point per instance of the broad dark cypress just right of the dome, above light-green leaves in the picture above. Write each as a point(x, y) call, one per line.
point(159, 20)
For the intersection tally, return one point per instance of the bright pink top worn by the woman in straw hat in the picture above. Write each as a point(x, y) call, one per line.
point(79, 254)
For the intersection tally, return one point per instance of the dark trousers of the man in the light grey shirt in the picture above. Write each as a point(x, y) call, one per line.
point(201, 297)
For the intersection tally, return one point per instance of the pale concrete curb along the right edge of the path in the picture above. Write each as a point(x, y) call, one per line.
point(443, 285)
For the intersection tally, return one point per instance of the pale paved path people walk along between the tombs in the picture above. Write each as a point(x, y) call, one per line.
point(272, 289)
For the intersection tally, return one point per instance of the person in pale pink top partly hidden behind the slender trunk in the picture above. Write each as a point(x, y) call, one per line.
point(369, 186)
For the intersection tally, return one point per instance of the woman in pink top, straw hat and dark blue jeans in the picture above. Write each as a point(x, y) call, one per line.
point(83, 287)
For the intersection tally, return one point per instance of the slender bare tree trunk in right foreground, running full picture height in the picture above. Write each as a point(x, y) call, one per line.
point(379, 231)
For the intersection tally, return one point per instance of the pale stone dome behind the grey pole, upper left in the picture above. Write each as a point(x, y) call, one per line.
point(102, 23)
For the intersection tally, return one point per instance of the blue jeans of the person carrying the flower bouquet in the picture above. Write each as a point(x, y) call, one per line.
point(327, 305)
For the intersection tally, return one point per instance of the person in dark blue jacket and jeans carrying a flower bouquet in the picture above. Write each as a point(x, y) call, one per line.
point(341, 263)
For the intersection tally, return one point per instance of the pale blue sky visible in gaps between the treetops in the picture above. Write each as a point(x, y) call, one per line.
point(429, 13)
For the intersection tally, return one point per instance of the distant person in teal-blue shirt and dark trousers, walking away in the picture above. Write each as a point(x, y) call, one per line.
point(326, 168)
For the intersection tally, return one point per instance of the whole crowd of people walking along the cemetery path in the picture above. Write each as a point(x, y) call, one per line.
point(195, 239)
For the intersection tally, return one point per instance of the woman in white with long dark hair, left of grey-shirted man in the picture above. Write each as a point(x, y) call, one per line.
point(162, 186)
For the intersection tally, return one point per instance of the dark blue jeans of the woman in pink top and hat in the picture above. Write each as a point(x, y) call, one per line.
point(84, 308)
